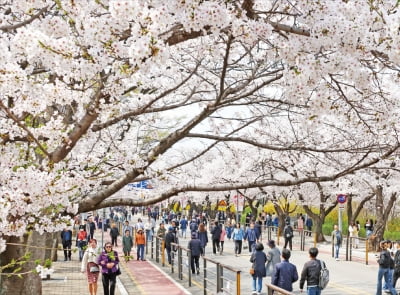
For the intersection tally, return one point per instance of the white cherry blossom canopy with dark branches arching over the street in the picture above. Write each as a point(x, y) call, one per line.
point(193, 95)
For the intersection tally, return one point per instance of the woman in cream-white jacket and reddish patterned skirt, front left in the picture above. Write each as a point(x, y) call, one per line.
point(89, 265)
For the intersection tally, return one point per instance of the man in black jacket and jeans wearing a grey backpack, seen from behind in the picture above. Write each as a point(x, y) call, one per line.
point(310, 273)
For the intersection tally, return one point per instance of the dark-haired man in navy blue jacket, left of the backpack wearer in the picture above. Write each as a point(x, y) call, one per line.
point(285, 273)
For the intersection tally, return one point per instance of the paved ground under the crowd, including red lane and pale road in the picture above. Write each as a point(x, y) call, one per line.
point(149, 277)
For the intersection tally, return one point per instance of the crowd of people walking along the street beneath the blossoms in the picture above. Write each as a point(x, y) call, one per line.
point(273, 262)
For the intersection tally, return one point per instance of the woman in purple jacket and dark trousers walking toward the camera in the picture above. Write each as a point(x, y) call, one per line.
point(109, 261)
